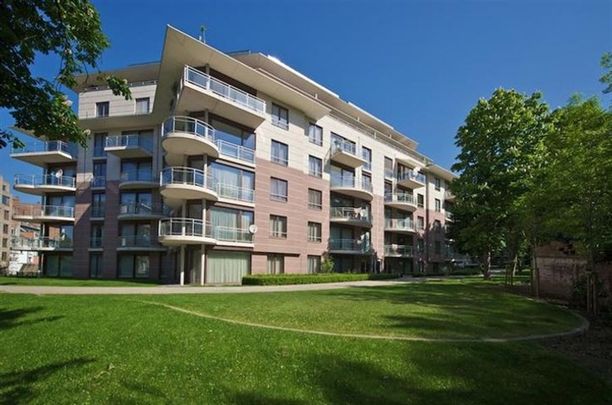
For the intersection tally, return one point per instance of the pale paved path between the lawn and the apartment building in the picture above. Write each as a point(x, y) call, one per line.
point(175, 289)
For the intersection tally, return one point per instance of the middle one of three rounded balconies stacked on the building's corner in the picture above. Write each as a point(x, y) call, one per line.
point(186, 183)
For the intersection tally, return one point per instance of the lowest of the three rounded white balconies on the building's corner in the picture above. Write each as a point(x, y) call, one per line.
point(185, 231)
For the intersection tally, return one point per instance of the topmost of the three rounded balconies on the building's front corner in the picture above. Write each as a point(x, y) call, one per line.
point(189, 136)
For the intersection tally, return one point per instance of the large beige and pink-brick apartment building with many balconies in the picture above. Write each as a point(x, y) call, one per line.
point(226, 164)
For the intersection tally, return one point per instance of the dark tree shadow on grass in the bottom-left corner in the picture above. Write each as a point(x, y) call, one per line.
point(18, 386)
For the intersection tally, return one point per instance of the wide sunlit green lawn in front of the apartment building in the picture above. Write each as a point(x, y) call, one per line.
point(117, 349)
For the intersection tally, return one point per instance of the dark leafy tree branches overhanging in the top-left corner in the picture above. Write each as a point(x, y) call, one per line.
point(67, 29)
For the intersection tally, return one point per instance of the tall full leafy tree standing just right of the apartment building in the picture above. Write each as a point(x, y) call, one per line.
point(500, 143)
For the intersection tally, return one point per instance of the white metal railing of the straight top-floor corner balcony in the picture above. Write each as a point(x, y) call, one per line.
point(224, 90)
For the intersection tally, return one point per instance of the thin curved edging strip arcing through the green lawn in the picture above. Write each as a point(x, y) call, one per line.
point(584, 325)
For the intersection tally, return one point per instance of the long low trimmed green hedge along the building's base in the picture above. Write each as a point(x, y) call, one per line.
point(282, 279)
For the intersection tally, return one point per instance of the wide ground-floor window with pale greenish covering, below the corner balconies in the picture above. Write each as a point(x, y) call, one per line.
point(227, 267)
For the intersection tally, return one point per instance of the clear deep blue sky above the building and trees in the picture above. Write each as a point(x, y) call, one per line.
point(418, 65)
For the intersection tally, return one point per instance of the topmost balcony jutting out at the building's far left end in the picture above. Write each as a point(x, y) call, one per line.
point(42, 153)
